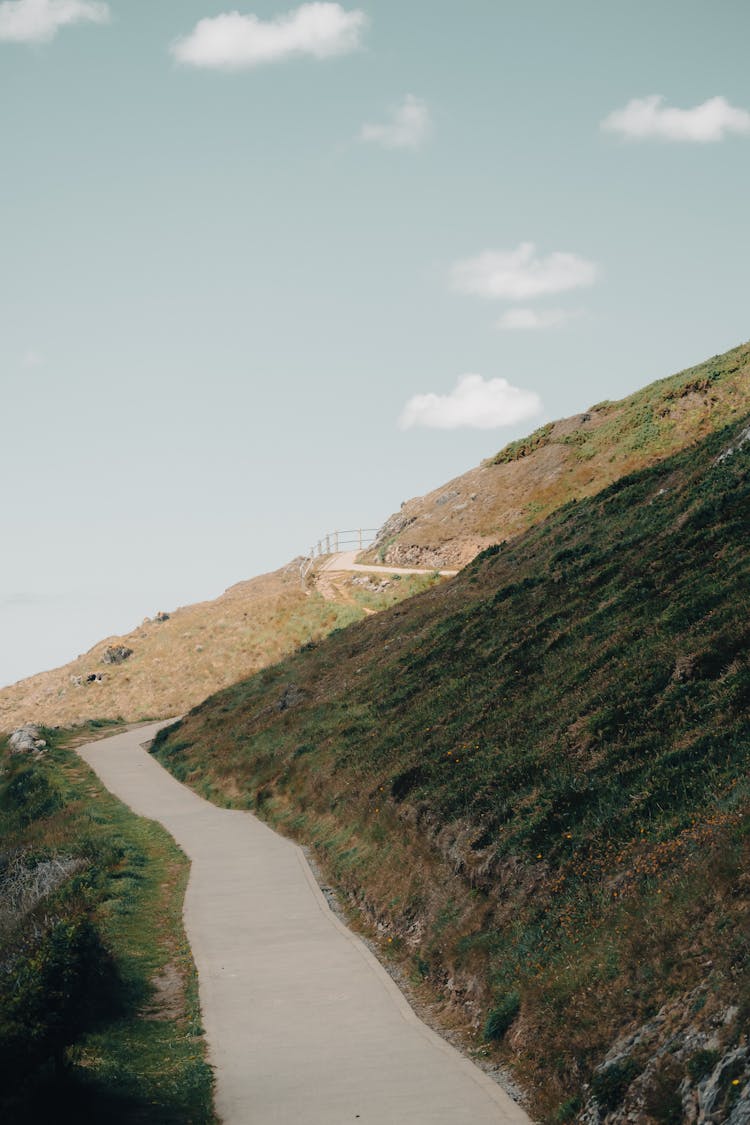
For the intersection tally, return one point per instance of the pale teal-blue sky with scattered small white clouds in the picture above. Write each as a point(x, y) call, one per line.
point(270, 272)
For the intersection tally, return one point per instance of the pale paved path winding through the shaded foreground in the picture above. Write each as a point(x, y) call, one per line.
point(304, 1025)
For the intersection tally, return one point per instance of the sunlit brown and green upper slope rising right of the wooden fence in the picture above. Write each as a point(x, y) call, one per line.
point(565, 461)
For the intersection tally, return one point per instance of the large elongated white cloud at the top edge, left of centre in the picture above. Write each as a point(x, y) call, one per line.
point(237, 42)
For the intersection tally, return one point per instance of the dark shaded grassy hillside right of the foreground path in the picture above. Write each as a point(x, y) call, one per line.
point(534, 784)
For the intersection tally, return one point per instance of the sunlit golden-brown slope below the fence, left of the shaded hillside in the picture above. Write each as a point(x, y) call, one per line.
point(179, 659)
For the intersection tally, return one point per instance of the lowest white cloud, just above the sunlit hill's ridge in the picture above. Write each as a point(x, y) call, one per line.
point(475, 403)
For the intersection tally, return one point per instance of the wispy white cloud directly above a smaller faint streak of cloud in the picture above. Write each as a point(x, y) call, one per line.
point(521, 275)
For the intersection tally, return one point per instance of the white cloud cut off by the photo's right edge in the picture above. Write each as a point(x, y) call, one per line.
point(648, 118)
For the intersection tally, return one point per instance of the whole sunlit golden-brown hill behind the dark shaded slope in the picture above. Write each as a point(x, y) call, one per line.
point(174, 663)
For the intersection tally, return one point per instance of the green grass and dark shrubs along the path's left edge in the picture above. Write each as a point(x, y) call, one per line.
point(100, 1016)
